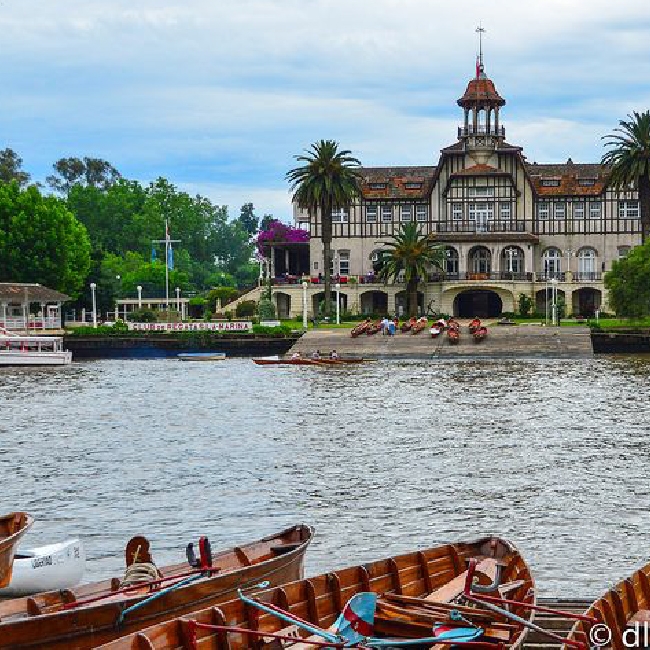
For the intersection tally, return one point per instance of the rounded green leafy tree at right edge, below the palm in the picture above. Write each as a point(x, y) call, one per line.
point(628, 283)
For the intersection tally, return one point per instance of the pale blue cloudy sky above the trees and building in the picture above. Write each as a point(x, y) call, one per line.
point(218, 96)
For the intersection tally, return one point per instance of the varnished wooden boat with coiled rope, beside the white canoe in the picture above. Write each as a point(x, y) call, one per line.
point(100, 612)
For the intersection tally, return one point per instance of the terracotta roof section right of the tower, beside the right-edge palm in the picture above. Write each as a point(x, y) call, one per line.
point(569, 176)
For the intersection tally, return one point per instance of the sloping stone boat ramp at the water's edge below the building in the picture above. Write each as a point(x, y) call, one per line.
point(503, 342)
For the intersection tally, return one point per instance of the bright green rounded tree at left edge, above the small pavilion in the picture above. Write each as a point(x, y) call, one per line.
point(41, 241)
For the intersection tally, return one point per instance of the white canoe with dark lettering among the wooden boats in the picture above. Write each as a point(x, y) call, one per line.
point(46, 568)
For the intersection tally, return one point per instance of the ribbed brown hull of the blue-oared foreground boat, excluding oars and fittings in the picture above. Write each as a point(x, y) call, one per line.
point(320, 599)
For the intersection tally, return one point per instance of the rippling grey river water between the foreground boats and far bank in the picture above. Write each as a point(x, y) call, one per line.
point(381, 458)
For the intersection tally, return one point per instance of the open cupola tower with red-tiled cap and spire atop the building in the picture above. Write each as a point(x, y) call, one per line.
point(481, 103)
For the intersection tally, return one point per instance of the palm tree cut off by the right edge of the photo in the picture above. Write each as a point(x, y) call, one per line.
point(629, 159)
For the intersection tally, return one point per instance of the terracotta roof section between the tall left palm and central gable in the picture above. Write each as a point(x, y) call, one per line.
point(396, 180)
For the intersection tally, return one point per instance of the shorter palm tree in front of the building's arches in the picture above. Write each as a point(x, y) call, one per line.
point(412, 252)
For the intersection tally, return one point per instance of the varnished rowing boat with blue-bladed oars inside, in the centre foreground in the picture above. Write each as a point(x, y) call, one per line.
point(413, 592)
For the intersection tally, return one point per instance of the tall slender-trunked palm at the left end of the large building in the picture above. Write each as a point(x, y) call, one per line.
point(329, 179)
